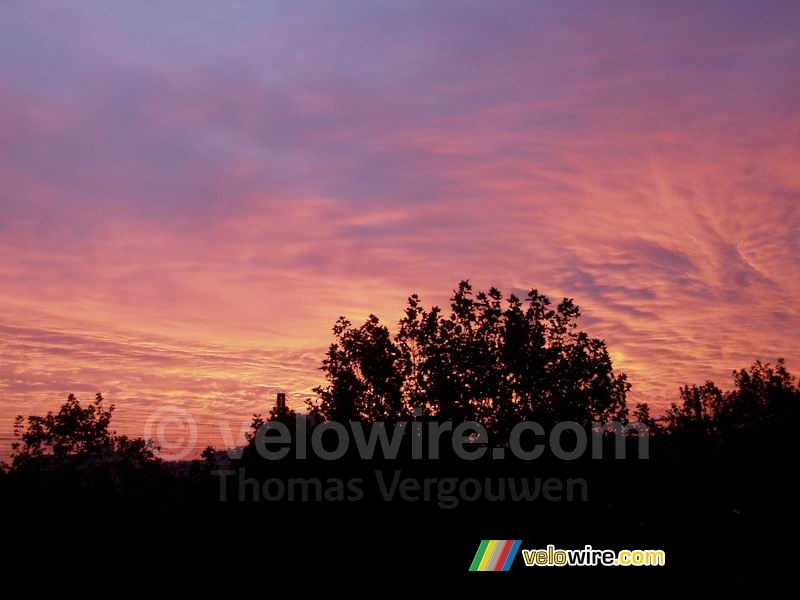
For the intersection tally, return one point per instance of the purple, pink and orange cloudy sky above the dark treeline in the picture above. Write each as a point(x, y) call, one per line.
point(192, 192)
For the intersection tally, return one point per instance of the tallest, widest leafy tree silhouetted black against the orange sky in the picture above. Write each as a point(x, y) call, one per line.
point(488, 360)
